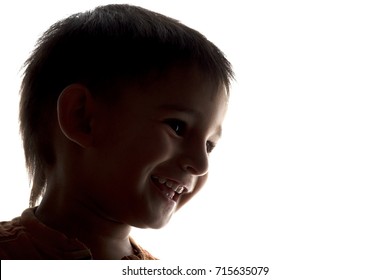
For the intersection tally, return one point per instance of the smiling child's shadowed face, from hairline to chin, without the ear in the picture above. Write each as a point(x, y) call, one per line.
point(155, 140)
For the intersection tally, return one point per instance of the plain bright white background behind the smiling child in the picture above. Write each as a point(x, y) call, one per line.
point(300, 179)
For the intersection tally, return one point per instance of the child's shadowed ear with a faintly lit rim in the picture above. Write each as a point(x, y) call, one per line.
point(74, 111)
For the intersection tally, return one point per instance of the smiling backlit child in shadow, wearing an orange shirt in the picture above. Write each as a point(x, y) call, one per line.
point(120, 108)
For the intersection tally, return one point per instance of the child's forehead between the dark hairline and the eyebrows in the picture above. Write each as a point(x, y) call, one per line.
point(182, 93)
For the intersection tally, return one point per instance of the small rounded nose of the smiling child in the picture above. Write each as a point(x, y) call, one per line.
point(195, 160)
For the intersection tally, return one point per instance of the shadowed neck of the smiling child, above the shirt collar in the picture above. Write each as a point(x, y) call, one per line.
point(106, 238)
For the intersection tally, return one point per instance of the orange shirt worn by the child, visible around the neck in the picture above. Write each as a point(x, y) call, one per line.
point(26, 238)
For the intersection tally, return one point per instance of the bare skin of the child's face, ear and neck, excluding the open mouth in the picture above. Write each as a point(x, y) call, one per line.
point(108, 153)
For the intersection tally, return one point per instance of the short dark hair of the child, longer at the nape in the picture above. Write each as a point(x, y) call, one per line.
point(98, 48)
